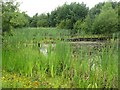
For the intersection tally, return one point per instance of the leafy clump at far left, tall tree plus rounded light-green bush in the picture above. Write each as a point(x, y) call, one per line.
point(11, 17)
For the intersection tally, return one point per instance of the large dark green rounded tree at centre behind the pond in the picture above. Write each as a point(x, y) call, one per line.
point(68, 14)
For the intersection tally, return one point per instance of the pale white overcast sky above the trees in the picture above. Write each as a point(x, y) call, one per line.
point(44, 6)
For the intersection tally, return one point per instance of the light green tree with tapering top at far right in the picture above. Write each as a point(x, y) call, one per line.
point(106, 22)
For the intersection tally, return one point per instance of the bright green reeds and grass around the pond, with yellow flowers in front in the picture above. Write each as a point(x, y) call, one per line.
point(23, 65)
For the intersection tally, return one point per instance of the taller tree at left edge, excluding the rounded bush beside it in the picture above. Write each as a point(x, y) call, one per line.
point(8, 9)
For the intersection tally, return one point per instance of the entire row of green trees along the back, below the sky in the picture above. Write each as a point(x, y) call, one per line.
point(79, 19)
